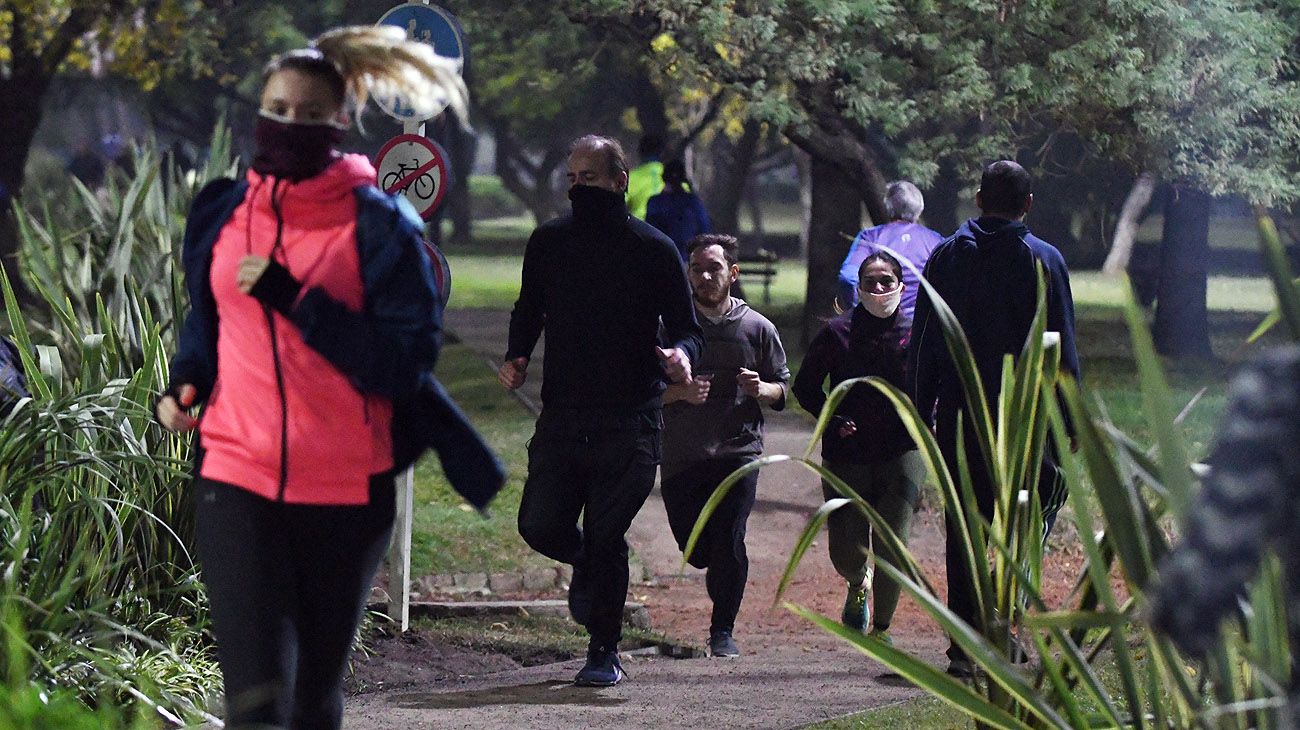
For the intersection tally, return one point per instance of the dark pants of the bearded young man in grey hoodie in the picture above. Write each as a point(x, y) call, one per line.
point(721, 549)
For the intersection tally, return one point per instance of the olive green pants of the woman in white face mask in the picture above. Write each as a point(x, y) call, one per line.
point(892, 489)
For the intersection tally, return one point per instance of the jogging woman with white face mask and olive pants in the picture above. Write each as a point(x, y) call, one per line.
point(866, 444)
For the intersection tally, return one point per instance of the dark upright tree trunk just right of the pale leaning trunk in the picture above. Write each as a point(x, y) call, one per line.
point(1182, 320)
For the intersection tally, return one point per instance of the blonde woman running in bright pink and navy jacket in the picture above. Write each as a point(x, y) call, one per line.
point(314, 312)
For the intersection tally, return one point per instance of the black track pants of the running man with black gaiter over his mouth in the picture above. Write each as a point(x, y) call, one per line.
point(600, 466)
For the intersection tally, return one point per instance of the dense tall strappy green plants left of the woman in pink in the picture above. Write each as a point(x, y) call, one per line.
point(98, 585)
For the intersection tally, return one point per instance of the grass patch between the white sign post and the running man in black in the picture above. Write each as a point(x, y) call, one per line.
point(449, 536)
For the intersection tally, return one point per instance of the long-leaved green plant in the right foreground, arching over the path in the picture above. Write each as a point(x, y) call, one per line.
point(1121, 493)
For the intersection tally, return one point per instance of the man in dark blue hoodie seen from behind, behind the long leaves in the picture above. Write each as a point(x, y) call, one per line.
point(987, 273)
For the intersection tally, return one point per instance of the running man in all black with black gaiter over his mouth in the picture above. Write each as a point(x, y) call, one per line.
point(600, 283)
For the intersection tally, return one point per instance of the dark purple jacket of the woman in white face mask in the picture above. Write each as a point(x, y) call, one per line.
point(851, 346)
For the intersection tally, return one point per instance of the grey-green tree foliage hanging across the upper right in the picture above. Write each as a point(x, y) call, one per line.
point(1202, 90)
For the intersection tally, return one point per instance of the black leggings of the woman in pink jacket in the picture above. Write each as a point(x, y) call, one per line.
point(288, 584)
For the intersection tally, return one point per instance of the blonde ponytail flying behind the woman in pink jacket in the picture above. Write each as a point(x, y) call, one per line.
point(380, 62)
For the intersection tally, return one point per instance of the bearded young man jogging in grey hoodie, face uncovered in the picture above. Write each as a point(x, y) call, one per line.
point(714, 425)
